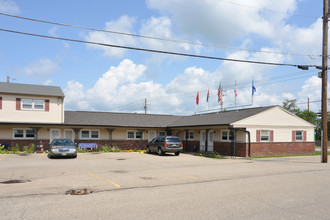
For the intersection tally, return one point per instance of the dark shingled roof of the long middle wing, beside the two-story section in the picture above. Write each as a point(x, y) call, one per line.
point(118, 119)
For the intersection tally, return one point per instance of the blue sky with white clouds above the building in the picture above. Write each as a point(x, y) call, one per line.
point(103, 78)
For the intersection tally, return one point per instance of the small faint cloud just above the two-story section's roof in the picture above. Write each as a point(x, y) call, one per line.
point(42, 68)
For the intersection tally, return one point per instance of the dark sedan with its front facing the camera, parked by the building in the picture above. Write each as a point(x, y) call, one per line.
point(62, 148)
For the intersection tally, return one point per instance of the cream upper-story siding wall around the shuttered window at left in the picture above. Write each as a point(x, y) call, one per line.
point(10, 114)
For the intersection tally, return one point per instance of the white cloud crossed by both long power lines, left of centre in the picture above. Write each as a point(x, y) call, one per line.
point(123, 24)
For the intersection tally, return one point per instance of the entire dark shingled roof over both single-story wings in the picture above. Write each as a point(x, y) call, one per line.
point(81, 118)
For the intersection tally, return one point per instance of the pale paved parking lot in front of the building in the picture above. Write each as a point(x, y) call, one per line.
point(144, 186)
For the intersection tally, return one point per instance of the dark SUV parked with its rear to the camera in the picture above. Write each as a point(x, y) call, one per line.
point(163, 144)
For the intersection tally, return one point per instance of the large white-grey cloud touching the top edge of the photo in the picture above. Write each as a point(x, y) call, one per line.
point(219, 21)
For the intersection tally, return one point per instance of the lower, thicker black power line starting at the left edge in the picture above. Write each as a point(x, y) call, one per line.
point(159, 51)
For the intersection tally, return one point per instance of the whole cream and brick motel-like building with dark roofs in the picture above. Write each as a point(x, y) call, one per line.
point(36, 114)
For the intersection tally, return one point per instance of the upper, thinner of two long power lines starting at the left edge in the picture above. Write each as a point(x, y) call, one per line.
point(157, 38)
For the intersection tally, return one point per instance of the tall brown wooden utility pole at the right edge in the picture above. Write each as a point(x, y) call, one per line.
point(324, 150)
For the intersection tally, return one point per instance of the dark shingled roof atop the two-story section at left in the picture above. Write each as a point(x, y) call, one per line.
point(29, 89)
